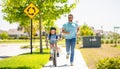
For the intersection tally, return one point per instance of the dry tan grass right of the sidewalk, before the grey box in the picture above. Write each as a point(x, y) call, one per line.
point(93, 55)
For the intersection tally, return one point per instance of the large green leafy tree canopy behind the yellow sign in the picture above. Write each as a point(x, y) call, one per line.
point(50, 10)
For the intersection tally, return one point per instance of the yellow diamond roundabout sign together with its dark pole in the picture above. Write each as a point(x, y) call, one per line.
point(31, 10)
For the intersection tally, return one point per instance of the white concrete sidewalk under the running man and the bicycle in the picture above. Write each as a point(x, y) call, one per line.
point(63, 63)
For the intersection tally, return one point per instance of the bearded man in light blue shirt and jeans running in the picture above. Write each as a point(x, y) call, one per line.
point(70, 30)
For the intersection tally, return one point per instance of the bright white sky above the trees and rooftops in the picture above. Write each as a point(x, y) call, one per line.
point(96, 13)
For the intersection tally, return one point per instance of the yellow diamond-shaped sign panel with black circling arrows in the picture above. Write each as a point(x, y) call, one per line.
point(31, 10)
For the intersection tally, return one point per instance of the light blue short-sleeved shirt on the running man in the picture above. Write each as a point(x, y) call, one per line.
point(72, 28)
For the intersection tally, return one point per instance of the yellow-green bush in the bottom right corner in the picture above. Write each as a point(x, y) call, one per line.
point(109, 63)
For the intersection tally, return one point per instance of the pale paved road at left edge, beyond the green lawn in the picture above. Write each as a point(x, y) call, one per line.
point(11, 50)
